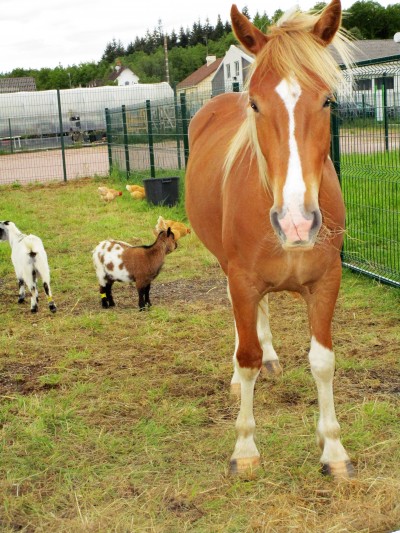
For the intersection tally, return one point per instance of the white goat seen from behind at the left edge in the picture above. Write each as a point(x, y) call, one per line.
point(30, 260)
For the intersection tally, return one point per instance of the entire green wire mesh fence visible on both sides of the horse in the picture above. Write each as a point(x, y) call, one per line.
point(148, 137)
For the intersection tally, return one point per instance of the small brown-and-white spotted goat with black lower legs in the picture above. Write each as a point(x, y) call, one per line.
point(120, 261)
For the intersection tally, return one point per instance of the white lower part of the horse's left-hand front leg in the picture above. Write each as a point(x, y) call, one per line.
point(245, 455)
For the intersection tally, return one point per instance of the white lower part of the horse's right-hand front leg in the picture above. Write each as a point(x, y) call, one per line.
point(322, 361)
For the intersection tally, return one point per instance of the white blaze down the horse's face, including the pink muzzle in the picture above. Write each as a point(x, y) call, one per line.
point(295, 225)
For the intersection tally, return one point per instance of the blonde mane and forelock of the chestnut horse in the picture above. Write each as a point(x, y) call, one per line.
point(292, 50)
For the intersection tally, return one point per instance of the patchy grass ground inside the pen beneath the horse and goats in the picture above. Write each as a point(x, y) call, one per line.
point(116, 421)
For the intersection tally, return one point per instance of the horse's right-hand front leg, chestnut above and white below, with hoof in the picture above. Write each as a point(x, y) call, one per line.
point(321, 303)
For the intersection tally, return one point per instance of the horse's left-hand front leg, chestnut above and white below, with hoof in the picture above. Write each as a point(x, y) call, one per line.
point(247, 367)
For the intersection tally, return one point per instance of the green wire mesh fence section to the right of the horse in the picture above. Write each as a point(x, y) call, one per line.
point(366, 154)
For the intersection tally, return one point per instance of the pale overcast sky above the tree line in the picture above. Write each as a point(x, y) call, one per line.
point(47, 33)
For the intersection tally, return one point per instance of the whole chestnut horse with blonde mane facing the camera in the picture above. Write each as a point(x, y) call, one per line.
point(263, 196)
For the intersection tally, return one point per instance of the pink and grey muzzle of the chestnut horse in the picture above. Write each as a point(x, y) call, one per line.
point(298, 230)
